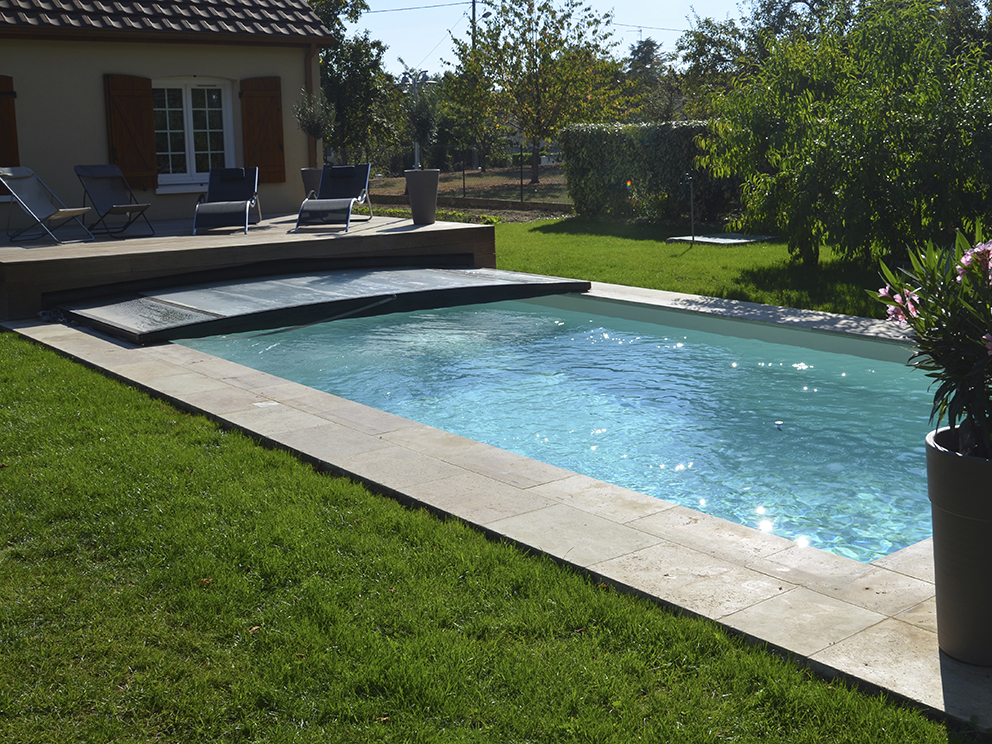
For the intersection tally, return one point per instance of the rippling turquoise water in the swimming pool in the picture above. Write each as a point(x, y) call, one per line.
point(823, 448)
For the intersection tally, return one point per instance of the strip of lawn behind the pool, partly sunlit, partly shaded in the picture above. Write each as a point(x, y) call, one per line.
point(637, 255)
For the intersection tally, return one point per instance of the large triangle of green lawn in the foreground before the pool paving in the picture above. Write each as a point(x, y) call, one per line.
point(164, 580)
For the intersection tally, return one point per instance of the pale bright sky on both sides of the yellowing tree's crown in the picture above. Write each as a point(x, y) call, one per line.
point(420, 31)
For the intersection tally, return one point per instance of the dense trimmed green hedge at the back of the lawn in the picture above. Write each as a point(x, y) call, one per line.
point(640, 170)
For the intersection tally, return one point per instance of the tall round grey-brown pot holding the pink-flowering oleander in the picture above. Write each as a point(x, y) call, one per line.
point(960, 489)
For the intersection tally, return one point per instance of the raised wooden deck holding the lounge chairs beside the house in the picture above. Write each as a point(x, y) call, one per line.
point(38, 275)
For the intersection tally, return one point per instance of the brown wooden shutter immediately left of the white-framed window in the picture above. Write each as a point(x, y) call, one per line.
point(131, 128)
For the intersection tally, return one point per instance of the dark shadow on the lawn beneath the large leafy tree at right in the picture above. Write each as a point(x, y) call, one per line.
point(835, 286)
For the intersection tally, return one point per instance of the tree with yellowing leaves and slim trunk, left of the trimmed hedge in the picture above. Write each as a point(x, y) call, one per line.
point(549, 65)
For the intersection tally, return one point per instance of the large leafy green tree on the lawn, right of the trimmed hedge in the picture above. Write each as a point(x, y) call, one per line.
point(871, 130)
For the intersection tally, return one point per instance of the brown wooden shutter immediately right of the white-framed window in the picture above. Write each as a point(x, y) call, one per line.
point(261, 121)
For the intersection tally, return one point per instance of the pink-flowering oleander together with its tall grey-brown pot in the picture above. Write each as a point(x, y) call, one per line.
point(945, 297)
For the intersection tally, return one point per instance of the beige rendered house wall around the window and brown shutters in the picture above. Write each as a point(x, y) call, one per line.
point(61, 115)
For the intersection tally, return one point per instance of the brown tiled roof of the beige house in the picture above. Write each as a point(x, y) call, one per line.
point(247, 20)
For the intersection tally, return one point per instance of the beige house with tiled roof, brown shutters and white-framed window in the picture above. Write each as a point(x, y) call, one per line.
point(164, 90)
